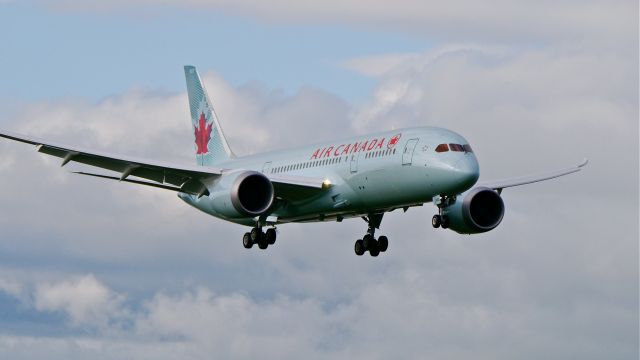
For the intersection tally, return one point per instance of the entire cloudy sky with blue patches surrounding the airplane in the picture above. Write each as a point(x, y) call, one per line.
point(95, 269)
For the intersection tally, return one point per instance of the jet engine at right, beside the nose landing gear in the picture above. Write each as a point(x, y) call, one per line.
point(478, 211)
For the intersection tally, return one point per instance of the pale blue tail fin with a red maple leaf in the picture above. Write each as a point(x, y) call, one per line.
point(211, 146)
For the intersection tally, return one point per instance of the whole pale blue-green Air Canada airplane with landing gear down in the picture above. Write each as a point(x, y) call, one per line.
point(360, 177)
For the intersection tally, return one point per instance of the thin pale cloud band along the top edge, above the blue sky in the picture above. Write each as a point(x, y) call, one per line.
point(461, 19)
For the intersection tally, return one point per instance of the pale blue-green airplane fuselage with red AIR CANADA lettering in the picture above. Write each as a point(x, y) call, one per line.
point(367, 174)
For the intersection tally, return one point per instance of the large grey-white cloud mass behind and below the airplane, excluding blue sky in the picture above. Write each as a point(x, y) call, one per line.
point(557, 278)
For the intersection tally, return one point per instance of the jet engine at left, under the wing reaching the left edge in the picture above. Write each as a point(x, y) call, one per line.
point(242, 194)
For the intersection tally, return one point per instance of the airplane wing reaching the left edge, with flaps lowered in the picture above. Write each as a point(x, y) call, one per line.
point(180, 178)
